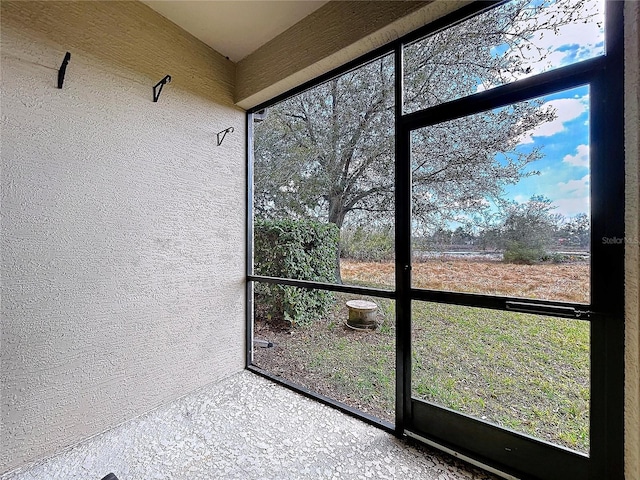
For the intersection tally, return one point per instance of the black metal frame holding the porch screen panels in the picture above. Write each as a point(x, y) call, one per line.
point(605, 313)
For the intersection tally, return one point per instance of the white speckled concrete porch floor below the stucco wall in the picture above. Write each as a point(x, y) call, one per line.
point(246, 427)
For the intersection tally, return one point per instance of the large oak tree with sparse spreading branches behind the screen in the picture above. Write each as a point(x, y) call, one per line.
point(328, 153)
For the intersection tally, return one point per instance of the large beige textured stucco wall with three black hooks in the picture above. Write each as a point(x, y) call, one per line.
point(122, 221)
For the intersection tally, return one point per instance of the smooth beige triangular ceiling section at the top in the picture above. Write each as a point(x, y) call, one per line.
point(235, 28)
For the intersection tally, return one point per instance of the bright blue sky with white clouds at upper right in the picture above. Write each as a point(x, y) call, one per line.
point(564, 170)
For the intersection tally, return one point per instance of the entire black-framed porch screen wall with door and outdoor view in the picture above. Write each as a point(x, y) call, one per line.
point(457, 183)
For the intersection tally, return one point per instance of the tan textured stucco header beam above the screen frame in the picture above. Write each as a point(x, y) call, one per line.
point(333, 35)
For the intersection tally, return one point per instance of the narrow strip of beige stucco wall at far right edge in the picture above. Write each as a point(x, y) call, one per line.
point(632, 247)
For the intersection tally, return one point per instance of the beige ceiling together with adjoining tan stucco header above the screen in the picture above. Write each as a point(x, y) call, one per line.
point(279, 45)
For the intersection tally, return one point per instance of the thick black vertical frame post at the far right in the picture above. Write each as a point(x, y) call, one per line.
point(607, 252)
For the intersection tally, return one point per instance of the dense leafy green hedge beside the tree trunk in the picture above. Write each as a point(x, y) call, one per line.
point(302, 250)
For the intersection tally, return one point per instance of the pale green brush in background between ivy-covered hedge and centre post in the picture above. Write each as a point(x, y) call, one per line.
point(360, 244)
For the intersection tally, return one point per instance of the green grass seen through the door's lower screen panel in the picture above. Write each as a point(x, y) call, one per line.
point(525, 372)
